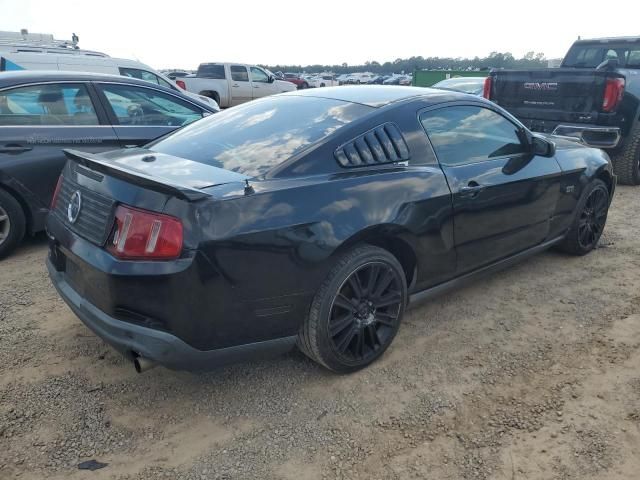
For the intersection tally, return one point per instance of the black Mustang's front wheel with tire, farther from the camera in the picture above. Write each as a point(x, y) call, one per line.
point(589, 221)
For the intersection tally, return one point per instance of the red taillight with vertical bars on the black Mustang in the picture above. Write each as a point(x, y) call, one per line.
point(144, 235)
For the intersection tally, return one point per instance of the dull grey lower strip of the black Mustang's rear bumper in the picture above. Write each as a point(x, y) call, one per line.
point(163, 348)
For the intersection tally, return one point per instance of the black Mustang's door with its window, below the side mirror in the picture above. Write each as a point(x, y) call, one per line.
point(503, 196)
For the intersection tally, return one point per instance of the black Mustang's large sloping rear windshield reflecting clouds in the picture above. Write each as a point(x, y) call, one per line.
point(255, 137)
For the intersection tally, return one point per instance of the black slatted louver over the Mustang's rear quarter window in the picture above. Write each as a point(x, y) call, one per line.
point(380, 145)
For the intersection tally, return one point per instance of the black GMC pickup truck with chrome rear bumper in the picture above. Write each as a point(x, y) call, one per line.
point(594, 97)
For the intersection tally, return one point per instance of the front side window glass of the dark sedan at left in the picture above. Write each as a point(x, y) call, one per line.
point(145, 106)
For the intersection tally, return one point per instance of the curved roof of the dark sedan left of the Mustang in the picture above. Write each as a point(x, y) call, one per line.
point(9, 79)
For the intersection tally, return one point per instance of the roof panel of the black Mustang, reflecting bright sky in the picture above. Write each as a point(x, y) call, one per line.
point(380, 95)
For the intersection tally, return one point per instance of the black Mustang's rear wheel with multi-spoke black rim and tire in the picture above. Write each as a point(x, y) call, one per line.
point(356, 312)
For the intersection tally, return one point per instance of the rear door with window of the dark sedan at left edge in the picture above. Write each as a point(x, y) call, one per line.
point(37, 122)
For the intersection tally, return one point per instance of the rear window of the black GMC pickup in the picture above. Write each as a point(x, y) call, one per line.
point(590, 56)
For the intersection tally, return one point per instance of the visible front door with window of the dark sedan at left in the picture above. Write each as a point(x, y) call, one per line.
point(140, 114)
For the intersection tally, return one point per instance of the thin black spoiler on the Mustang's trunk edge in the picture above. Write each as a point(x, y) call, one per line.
point(92, 162)
